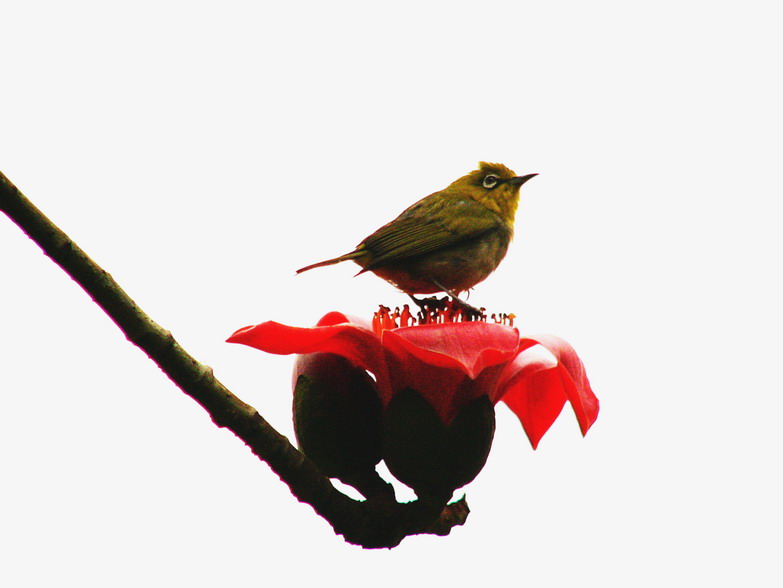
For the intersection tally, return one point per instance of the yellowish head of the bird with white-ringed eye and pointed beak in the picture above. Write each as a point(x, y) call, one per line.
point(494, 186)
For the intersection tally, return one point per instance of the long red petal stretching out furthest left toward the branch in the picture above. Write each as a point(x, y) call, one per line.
point(359, 345)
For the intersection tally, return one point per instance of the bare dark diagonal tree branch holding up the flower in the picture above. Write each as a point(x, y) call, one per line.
point(378, 522)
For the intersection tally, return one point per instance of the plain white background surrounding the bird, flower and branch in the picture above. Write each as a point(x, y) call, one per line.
point(202, 152)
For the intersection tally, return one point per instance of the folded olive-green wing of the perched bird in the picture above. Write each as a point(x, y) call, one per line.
point(420, 230)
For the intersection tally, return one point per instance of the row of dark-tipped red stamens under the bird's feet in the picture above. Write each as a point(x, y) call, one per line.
point(434, 311)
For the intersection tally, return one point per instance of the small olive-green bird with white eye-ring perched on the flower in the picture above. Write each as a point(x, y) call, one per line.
point(448, 241)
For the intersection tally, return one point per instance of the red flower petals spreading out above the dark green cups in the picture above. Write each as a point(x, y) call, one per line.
point(449, 364)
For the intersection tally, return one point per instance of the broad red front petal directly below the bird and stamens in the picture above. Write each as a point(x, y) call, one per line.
point(468, 347)
